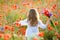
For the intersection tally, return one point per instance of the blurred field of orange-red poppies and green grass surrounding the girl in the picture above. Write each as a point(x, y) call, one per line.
point(15, 10)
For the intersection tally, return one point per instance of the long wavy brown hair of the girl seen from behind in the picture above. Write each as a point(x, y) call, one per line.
point(32, 17)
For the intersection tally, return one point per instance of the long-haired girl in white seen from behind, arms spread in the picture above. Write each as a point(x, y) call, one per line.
point(33, 22)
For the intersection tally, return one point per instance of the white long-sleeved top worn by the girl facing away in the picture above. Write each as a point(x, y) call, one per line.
point(32, 30)
